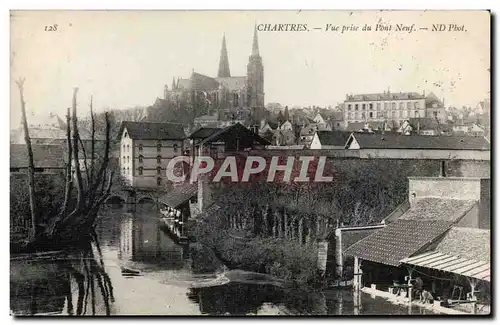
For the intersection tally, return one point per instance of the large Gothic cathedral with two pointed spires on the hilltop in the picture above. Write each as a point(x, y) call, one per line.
point(224, 95)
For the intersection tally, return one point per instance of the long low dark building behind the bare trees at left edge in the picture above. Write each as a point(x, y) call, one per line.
point(48, 159)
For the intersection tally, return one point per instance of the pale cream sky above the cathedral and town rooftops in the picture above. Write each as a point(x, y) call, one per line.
point(124, 58)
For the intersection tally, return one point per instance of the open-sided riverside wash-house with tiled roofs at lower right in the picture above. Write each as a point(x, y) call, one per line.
point(439, 210)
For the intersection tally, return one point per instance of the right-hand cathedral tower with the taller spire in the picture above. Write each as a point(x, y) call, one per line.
point(255, 75)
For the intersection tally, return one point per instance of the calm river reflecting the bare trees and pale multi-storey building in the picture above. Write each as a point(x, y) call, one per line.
point(152, 275)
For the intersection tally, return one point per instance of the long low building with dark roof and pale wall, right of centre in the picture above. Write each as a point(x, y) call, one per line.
point(419, 146)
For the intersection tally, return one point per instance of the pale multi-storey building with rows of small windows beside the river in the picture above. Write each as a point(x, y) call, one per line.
point(145, 150)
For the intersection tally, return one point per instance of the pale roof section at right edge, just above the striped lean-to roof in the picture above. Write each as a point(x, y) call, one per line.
point(469, 243)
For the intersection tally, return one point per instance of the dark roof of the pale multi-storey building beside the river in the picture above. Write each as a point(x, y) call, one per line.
point(153, 131)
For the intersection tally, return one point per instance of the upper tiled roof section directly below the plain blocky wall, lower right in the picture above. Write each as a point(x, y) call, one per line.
point(438, 209)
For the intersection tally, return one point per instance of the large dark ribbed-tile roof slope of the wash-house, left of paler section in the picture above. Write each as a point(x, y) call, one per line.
point(398, 240)
